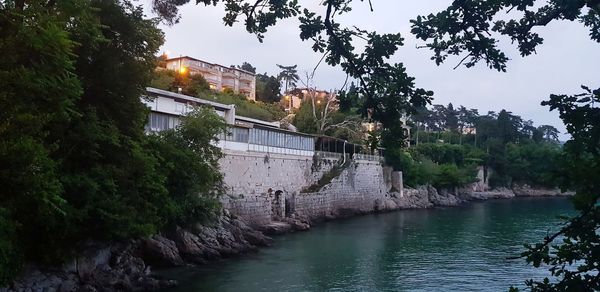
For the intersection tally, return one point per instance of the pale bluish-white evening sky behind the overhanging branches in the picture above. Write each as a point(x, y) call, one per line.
point(566, 60)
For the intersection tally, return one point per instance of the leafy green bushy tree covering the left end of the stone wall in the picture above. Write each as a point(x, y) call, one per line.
point(189, 162)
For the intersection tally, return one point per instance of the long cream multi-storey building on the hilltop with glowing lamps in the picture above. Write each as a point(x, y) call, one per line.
point(218, 76)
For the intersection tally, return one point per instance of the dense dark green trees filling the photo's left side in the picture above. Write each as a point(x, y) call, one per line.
point(75, 162)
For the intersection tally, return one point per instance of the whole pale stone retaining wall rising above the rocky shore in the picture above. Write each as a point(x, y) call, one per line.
point(274, 189)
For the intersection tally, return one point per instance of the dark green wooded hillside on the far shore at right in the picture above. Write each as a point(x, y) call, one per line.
point(512, 149)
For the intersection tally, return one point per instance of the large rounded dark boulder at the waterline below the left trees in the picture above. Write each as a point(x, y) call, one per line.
point(160, 251)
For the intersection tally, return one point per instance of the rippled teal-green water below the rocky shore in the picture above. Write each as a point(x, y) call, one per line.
point(453, 249)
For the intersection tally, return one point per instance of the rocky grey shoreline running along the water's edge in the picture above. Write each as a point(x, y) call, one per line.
point(127, 266)
